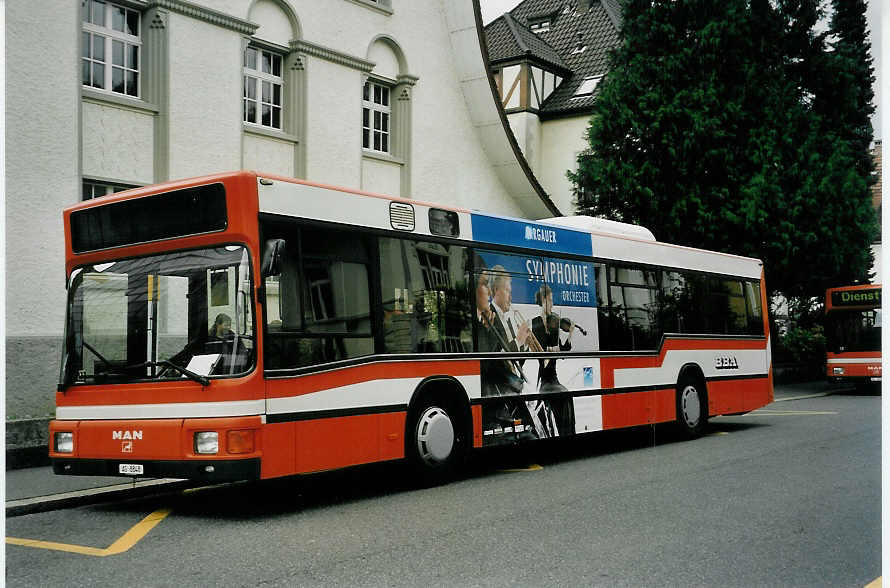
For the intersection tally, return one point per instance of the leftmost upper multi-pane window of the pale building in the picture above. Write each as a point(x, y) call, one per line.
point(110, 49)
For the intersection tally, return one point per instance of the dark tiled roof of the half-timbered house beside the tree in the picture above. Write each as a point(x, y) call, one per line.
point(597, 29)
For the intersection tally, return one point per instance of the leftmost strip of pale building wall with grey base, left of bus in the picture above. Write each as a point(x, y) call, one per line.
point(42, 176)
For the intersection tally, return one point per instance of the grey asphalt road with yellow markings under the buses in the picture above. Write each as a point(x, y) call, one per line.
point(785, 496)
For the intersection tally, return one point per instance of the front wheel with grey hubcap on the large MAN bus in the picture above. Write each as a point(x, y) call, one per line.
point(435, 444)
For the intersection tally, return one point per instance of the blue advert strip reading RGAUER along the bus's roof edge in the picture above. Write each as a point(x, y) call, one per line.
point(529, 234)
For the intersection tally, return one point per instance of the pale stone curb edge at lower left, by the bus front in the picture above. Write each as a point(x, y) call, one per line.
point(25, 506)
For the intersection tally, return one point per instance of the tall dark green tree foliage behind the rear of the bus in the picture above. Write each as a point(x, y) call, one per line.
point(714, 129)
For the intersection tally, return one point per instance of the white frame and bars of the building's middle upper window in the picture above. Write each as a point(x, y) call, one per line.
point(259, 78)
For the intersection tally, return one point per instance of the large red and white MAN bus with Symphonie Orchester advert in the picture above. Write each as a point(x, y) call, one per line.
point(242, 326)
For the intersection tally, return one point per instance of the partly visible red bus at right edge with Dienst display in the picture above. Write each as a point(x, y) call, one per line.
point(853, 334)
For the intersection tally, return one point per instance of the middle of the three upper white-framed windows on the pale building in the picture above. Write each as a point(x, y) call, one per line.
point(263, 84)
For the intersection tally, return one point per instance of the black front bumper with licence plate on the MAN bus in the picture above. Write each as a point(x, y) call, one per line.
point(208, 470)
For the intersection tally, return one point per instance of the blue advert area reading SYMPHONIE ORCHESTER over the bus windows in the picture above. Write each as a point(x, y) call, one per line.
point(573, 282)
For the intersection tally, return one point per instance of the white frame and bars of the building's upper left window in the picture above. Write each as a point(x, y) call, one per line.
point(106, 31)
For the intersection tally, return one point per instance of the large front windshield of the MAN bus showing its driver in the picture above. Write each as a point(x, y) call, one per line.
point(185, 314)
